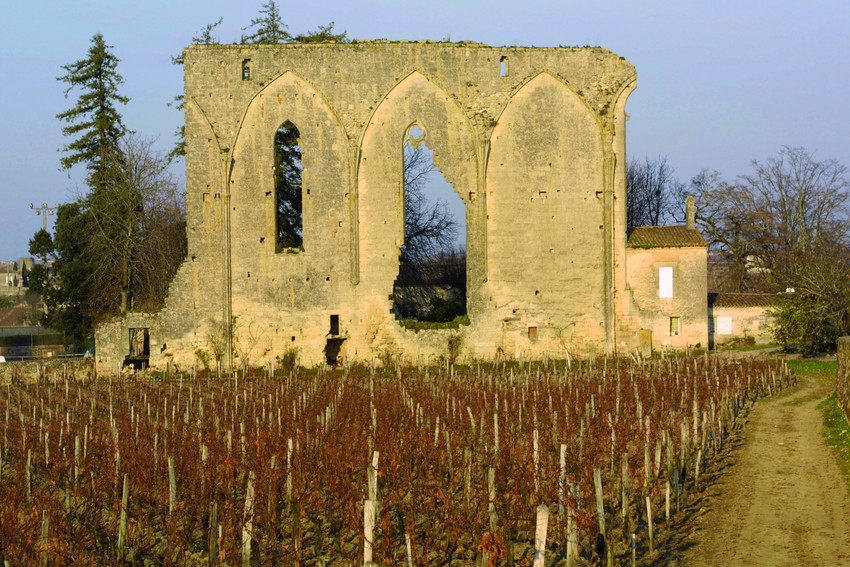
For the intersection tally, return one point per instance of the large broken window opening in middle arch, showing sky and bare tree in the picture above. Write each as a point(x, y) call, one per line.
point(431, 283)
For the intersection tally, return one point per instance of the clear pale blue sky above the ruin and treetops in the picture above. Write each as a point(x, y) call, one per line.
point(720, 83)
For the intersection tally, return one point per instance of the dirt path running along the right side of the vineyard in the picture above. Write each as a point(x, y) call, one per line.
point(782, 501)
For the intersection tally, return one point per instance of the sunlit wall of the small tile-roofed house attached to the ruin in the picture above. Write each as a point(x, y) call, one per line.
point(689, 294)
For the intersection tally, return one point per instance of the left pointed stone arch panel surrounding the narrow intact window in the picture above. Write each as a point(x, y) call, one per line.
point(325, 182)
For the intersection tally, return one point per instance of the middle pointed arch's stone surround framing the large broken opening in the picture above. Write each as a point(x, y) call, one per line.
point(414, 100)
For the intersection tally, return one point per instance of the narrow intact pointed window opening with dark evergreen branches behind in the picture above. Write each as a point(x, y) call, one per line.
point(289, 222)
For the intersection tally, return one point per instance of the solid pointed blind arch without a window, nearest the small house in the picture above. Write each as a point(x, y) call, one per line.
point(545, 214)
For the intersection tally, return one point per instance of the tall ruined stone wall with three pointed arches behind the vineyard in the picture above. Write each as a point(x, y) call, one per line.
point(532, 139)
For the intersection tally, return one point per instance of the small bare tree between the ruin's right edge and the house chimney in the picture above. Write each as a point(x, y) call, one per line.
point(650, 187)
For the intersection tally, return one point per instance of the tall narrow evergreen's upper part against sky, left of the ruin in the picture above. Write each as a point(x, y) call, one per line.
point(94, 121)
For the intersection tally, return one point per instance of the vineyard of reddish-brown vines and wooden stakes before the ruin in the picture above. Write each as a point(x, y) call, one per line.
point(543, 463)
